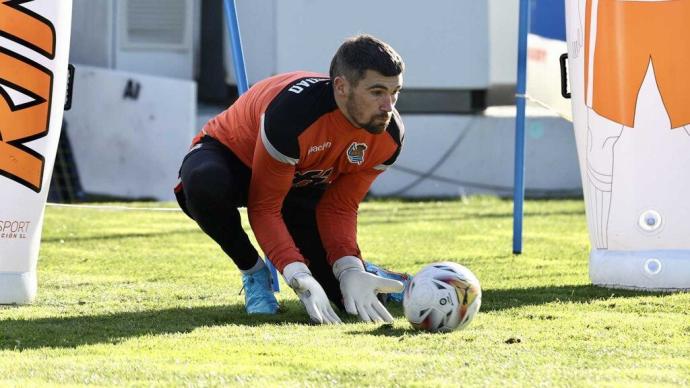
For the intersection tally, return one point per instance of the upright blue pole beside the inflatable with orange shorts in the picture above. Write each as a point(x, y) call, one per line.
point(519, 185)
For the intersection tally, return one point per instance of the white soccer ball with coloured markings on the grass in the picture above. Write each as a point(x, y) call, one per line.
point(442, 296)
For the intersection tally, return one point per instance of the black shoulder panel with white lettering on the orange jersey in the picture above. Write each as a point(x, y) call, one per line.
point(294, 109)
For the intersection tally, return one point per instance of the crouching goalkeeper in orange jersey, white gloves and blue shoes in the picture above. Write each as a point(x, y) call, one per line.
point(300, 150)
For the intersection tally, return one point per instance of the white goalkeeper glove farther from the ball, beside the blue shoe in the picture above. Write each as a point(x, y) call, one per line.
point(310, 292)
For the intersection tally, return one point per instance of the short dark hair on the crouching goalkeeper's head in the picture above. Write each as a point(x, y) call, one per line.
point(364, 52)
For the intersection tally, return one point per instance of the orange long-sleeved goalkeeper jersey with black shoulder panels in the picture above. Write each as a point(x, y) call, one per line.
point(290, 132)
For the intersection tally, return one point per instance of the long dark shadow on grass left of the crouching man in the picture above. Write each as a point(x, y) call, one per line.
point(70, 332)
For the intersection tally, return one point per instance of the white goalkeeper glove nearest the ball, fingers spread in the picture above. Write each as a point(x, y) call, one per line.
point(360, 289)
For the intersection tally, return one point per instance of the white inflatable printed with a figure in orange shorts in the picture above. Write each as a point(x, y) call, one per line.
point(629, 75)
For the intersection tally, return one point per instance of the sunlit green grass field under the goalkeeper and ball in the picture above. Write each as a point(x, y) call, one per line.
point(138, 298)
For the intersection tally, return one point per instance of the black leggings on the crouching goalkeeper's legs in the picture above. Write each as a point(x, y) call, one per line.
point(215, 184)
